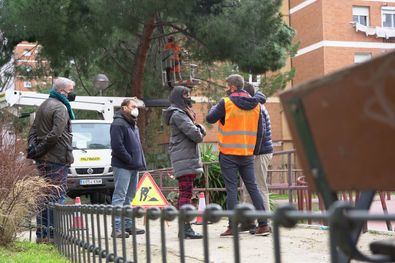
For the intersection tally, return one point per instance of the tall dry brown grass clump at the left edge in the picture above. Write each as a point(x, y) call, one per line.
point(21, 187)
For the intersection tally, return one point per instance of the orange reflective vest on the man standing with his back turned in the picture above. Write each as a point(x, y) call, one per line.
point(238, 135)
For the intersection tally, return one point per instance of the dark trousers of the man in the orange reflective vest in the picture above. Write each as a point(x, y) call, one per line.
point(230, 165)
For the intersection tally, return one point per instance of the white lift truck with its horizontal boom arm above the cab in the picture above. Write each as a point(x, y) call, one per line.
point(91, 173)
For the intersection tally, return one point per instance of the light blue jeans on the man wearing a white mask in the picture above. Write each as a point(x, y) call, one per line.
point(124, 192)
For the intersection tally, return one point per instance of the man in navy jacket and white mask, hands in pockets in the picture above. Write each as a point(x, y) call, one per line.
point(127, 159)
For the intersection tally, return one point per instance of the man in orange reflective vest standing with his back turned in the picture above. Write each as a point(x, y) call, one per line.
point(240, 129)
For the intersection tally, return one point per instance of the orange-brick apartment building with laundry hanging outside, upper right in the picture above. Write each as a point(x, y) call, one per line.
point(337, 33)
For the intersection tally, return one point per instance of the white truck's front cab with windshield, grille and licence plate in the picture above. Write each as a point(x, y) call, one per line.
point(91, 173)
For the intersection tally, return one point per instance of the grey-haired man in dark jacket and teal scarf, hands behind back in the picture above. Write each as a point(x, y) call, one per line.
point(50, 145)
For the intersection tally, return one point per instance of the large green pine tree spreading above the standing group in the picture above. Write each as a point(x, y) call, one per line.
point(119, 37)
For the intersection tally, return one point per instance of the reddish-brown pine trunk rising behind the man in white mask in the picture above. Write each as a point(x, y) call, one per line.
point(138, 71)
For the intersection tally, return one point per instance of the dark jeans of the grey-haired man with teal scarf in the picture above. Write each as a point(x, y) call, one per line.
point(57, 175)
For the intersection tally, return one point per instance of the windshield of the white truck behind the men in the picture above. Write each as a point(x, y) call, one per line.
point(91, 135)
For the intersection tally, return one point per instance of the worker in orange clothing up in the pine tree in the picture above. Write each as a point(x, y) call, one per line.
point(172, 60)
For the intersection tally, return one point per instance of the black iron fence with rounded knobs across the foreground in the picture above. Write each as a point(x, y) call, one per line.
point(83, 232)
